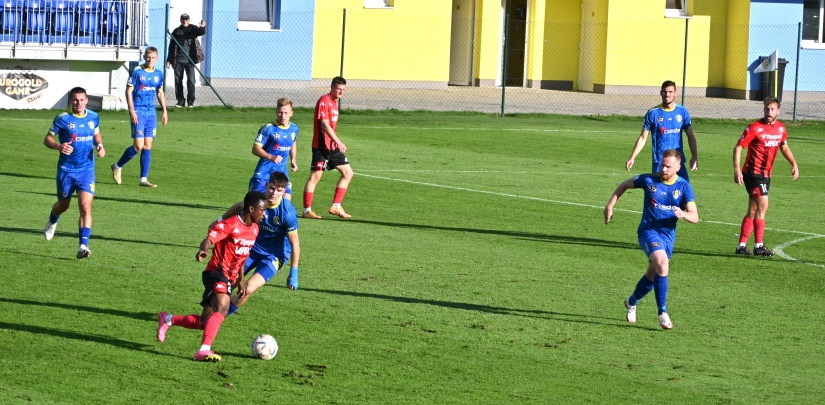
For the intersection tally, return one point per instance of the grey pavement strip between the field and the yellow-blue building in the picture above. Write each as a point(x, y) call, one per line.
point(810, 106)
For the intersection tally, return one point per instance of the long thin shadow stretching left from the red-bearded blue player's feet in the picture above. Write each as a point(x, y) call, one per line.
point(532, 313)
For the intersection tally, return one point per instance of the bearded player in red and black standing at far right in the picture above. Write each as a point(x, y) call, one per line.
point(764, 139)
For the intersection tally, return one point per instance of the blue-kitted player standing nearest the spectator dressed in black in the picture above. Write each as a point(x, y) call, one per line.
point(144, 85)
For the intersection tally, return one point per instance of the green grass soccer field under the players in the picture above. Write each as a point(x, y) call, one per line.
point(477, 268)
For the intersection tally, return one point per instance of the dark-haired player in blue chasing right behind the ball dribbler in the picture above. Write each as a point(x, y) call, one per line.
point(277, 241)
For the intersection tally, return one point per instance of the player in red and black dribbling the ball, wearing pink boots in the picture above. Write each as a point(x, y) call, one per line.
point(232, 239)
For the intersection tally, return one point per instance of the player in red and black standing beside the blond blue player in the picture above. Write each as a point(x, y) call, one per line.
point(328, 152)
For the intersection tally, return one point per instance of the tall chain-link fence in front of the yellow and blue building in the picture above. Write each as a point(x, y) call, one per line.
point(557, 68)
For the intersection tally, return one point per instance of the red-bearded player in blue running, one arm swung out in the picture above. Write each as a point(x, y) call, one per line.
point(665, 193)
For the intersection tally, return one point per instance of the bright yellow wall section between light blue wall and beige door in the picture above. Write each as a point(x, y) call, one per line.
point(383, 44)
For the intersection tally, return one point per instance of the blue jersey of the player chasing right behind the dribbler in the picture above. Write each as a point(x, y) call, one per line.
point(279, 221)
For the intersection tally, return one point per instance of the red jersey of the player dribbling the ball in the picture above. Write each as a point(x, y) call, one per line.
point(233, 241)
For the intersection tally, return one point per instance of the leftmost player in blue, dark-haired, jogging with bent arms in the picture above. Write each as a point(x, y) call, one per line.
point(76, 134)
